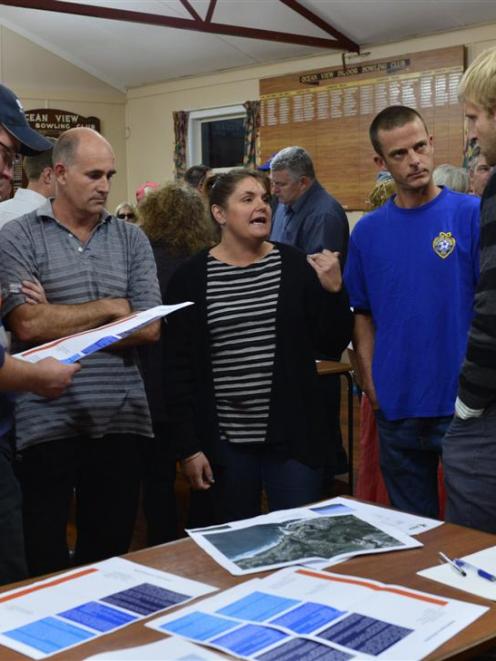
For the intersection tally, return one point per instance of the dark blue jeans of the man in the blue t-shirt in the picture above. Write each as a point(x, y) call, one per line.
point(410, 450)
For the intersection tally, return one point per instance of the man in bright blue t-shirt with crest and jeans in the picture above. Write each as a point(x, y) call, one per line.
point(411, 275)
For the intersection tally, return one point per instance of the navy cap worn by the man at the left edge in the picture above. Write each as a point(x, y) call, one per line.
point(14, 120)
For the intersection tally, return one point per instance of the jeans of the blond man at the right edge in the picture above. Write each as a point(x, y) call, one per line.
point(469, 462)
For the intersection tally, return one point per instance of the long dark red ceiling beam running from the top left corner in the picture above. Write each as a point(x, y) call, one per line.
point(196, 25)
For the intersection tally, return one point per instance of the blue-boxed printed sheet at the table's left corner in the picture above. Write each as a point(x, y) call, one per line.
point(69, 609)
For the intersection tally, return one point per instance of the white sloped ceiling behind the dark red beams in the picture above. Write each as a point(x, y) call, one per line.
point(126, 54)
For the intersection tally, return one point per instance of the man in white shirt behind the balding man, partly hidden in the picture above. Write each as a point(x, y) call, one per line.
point(41, 185)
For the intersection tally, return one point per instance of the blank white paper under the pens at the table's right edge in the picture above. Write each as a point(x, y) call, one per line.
point(472, 583)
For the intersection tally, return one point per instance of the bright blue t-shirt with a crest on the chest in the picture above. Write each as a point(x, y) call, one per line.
point(415, 271)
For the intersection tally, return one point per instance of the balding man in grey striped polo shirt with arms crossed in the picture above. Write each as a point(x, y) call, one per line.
point(94, 269)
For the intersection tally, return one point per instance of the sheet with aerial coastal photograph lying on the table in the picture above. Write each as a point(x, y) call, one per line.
point(298, 536)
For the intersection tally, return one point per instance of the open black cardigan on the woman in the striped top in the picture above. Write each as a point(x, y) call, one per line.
point(309, 321)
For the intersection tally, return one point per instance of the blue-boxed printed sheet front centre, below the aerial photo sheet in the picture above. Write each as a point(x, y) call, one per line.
point(304, 614)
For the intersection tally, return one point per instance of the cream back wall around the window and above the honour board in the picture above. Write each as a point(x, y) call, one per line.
point(150, 142)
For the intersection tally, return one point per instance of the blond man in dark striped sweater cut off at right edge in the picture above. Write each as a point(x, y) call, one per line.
point(469, 455)
